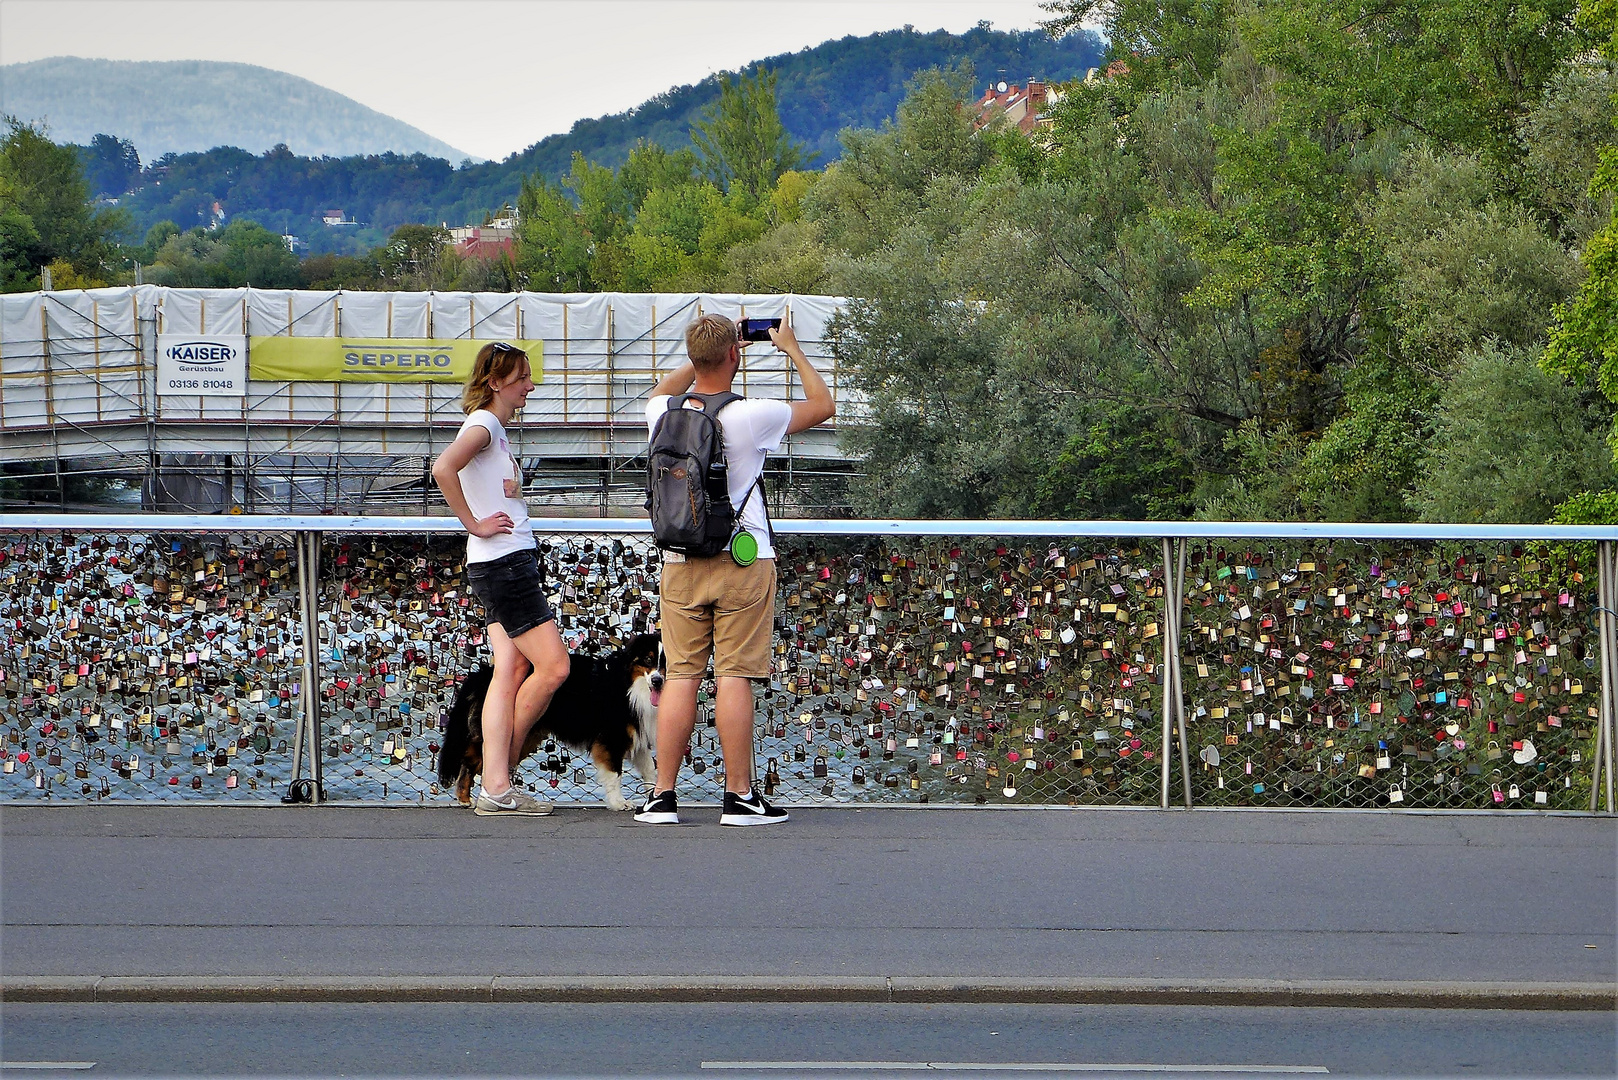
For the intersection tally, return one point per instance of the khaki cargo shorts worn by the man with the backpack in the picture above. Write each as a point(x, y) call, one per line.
point(716, 608)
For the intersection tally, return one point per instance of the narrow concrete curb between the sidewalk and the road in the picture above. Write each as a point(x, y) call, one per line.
point(873, 989)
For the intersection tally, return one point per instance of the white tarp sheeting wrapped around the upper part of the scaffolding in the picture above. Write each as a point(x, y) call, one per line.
point(85, 357)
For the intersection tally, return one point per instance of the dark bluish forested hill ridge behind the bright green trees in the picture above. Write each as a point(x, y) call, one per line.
point(853, 82)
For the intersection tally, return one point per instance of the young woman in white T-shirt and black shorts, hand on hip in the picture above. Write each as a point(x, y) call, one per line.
point(483, 483)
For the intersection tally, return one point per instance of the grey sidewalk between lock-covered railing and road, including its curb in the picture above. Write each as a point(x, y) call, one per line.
point(208, 903)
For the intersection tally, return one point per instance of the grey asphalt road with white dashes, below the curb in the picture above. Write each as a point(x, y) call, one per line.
point(465, 1040)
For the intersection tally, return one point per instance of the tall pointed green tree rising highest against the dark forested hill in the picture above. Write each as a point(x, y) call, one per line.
point(740, 138)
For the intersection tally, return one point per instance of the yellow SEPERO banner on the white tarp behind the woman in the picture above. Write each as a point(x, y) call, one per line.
point(373, 359)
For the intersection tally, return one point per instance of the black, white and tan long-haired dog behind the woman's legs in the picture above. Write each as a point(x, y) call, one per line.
point(608, 707)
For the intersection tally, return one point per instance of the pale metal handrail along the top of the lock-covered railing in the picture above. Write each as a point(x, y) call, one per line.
point(816, 527)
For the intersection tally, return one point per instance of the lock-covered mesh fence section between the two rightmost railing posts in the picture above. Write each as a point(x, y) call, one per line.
point(1392, 674)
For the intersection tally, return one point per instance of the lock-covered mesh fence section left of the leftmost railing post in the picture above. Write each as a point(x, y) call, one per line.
point(146, 666)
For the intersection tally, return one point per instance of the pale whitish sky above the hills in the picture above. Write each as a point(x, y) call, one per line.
point(488, 77)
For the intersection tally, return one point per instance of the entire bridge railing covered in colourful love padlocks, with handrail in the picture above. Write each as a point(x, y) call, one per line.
point(980, 663)
